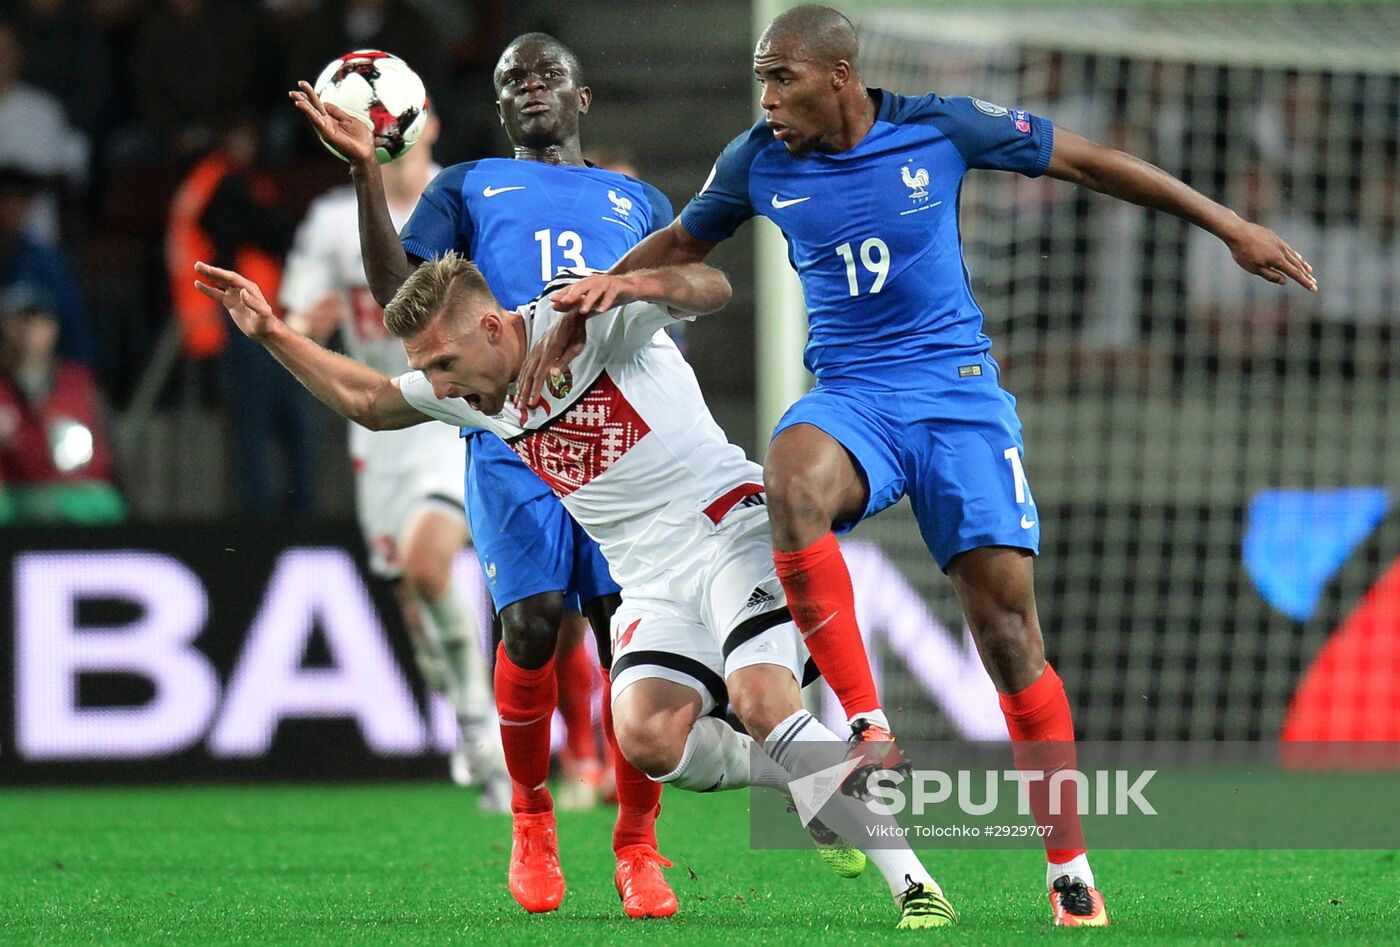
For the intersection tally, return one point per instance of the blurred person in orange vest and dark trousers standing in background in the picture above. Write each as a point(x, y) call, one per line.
point(226, 212)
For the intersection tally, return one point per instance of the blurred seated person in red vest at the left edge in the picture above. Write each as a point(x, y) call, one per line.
point(55, 463)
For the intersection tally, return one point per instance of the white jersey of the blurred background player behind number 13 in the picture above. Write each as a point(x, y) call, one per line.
point(325, 258)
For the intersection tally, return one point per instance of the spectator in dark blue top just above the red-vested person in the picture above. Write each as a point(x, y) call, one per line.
point(26, 260)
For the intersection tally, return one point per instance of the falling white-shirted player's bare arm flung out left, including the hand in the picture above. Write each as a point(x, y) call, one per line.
point(352, 390)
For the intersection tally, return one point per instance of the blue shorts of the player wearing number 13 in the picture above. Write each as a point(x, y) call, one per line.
point(526, 540)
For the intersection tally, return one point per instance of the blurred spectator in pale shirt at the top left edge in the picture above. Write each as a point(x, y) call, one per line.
point(37, 139)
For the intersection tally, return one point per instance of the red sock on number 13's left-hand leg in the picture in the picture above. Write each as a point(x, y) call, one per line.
point(526, 701)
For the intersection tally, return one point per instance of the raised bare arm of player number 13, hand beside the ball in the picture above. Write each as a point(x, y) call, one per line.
point(386, 263)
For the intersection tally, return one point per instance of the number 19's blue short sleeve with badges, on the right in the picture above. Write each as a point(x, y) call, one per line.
point(992, 137)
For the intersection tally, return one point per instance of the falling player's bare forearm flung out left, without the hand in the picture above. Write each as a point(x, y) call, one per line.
point(352, 390)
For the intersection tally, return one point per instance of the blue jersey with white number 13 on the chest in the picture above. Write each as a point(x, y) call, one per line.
point(521, 222)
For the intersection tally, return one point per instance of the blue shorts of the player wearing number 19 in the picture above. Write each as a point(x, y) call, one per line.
point(951, 442)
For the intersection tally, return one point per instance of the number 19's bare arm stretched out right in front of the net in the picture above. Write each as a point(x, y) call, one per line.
point(1119, 174)
